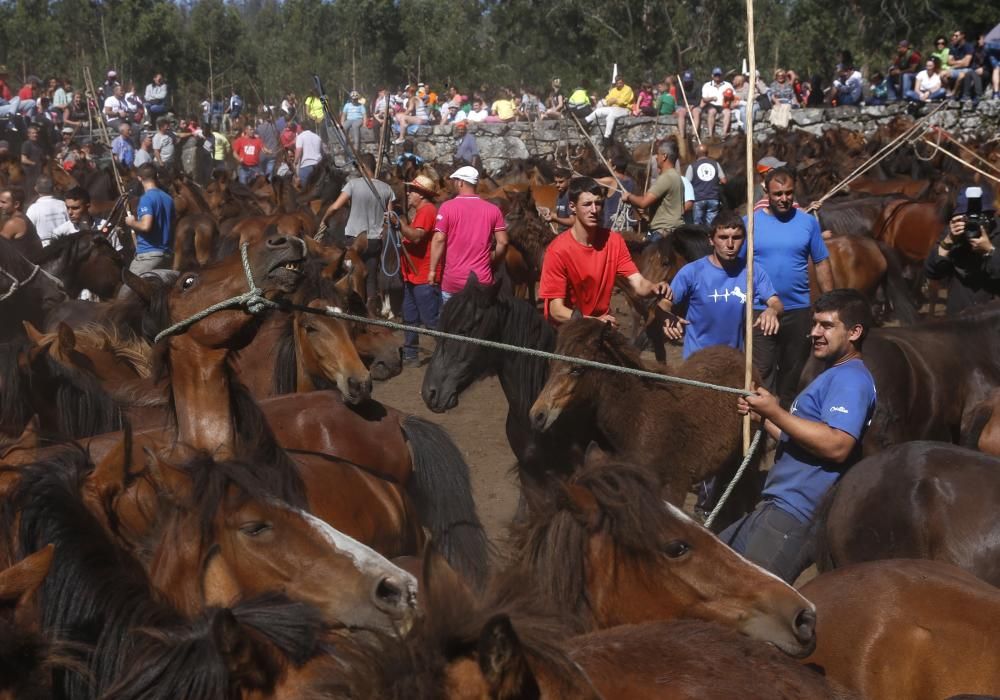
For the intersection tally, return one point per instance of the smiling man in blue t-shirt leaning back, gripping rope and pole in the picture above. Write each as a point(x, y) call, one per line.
point(818, 439)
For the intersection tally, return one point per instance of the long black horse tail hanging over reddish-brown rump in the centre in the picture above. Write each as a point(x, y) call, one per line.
point(442, 493)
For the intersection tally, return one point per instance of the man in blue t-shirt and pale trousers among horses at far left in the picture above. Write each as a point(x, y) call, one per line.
point(153, 224)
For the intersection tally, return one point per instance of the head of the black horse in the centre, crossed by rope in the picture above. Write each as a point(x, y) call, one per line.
point(454, 365)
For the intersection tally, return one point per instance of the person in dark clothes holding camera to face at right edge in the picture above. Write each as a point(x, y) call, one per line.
point(966, 252)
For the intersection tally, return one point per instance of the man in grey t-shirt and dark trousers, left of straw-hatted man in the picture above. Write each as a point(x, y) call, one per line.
point(367, 216)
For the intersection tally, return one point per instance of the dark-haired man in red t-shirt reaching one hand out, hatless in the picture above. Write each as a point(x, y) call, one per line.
point(581, 264)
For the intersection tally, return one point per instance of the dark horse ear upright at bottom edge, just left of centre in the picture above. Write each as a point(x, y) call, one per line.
point(503, 663)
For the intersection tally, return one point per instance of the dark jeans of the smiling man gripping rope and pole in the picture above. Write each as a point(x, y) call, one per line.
point(773, 539)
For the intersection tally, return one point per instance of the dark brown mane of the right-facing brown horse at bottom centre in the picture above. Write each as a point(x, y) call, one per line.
point(551, 547)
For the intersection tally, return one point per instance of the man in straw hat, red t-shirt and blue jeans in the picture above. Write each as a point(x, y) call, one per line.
point(421, 301)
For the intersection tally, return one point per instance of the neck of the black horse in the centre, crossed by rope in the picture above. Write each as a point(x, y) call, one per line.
point(522, 376)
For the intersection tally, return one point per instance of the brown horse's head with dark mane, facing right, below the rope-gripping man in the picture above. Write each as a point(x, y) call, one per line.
point(603, 550)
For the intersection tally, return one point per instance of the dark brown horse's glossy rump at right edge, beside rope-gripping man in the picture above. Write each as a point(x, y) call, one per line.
point(918, 500)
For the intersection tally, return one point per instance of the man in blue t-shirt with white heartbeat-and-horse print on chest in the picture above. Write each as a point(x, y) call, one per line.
point(714, 290)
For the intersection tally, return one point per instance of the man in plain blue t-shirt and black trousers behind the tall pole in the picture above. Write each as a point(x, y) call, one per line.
point(785, 240)
